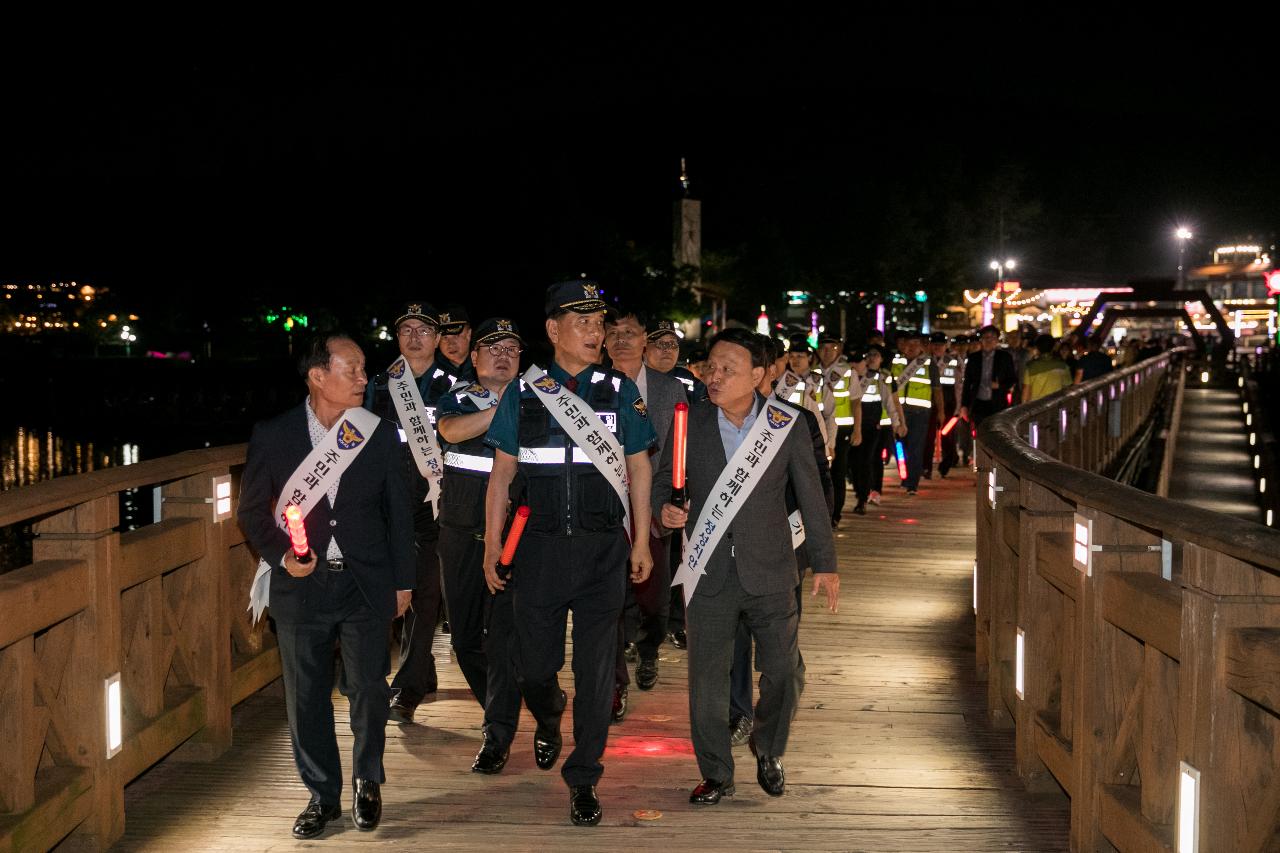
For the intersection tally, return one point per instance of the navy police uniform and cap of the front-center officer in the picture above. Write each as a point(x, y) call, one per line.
point(574, 554)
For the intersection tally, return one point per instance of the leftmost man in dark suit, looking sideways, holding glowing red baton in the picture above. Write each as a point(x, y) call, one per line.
point(359, 576)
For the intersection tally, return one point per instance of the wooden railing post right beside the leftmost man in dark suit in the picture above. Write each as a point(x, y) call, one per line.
point(208, 618)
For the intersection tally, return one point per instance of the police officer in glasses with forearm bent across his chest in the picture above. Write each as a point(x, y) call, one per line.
point(482, 630)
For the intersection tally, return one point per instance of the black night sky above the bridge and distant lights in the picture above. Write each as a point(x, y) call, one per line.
point(490, 165)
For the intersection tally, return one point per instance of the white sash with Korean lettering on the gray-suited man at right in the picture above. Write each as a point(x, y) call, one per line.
point(735, 483)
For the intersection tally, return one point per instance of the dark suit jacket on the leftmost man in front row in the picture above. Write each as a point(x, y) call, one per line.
point(372, 517)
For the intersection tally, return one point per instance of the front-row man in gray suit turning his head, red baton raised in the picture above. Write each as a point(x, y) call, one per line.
point(752, 573)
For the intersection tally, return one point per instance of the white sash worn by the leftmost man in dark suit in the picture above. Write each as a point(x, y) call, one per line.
point(310, 482)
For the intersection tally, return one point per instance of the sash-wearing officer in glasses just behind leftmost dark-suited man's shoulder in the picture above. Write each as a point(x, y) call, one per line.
point(418, 336)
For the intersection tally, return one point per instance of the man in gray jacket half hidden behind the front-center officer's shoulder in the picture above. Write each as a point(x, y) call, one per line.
point(625, 341)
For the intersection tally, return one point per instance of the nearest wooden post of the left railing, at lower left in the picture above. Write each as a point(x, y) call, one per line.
point(88, 532)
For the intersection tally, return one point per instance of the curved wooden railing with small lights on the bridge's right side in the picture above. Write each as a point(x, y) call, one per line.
point(1150, 631)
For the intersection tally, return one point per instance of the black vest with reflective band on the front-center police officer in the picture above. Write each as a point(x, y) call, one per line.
point(565, 492)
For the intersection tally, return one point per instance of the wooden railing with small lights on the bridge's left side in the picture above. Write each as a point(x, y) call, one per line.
point(162, 606)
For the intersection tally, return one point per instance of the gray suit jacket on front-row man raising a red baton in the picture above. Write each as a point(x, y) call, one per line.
point(760, 539)
